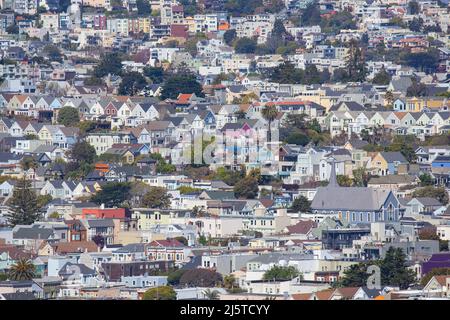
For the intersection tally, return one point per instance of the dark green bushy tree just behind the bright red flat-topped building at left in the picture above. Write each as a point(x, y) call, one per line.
point(113, 194)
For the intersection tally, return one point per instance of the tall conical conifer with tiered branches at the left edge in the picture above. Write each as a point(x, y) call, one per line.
point(23, 205)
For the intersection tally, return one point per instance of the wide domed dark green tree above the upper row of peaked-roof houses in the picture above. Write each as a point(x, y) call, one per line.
point(181, 83)
